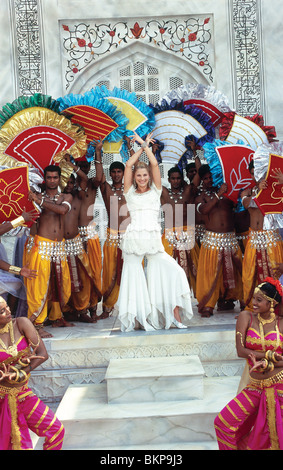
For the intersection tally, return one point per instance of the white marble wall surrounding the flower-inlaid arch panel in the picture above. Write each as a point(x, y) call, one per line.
point(226, 16)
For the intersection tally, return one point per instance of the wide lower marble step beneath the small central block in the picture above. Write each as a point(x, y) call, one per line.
point(92, 423)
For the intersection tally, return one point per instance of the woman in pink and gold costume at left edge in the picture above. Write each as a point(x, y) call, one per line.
point(20, 409)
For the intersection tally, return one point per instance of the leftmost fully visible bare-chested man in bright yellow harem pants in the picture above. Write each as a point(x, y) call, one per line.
point(48, 257)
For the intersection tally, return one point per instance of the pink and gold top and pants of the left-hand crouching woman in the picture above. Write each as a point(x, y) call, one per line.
point(21, 410)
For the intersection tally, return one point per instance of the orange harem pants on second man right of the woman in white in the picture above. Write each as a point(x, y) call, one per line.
point(219, 269)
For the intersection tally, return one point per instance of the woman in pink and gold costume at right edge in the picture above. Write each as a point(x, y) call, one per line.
point(253, 420)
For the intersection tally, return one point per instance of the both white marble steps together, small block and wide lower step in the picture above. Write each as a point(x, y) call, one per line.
point(146, 404)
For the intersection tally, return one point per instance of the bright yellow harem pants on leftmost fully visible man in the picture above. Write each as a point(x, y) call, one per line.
point(53, 281)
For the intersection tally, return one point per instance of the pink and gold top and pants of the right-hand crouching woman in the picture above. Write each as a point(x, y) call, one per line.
point(254, 419)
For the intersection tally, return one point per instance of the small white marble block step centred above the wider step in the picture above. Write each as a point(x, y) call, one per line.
point(154, 379)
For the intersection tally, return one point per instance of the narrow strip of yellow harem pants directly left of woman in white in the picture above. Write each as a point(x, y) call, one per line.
point(112, 268)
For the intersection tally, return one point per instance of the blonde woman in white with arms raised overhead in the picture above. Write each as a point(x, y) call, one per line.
point(158, 300)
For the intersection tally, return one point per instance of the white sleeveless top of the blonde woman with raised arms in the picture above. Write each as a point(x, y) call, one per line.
point(143, 234)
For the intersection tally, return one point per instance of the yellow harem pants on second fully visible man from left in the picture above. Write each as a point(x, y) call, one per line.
point(86, 284)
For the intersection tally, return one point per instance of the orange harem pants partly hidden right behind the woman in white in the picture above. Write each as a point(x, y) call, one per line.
point(186, 258)
